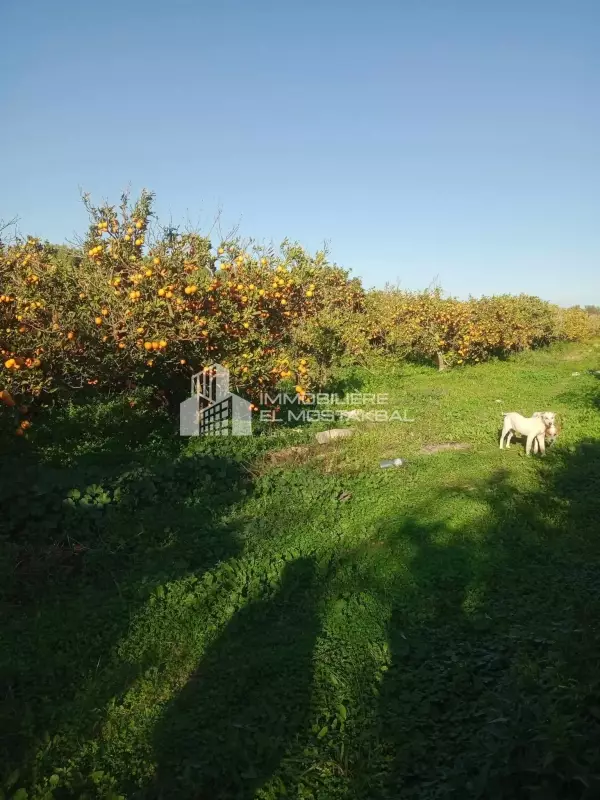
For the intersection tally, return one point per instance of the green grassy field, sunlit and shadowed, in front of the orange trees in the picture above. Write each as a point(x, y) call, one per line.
point(216, 623)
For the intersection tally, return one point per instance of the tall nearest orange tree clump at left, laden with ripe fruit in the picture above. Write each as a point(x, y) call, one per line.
point(136, 304)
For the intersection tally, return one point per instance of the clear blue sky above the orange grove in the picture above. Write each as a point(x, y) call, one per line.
point(436, 139)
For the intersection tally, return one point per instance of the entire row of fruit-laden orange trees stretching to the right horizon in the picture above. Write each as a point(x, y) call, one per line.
point(137, 304)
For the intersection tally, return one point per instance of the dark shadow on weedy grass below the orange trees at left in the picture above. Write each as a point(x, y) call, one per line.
point(93, 558)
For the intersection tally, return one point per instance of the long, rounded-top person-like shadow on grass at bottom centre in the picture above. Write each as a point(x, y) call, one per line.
point(225, 733)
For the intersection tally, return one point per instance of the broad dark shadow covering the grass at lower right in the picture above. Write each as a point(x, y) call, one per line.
point(493, 690)
